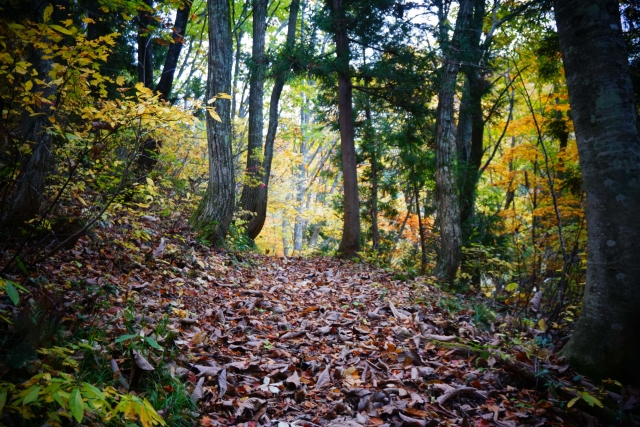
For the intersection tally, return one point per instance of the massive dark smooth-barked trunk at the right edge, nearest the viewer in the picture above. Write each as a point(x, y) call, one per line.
point(605, 342)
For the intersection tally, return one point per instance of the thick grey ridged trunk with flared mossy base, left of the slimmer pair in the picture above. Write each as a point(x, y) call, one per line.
point(214, 214)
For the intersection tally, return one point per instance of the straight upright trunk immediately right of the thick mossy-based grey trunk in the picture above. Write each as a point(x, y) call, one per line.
point(253, 173)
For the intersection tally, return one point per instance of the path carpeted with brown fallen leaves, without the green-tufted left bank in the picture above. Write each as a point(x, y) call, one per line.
point(320, 341)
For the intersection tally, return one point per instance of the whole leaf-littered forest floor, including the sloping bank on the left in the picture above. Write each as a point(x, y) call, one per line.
point(222, 338)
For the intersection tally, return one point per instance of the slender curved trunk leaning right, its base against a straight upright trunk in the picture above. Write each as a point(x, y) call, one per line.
point(257, 221)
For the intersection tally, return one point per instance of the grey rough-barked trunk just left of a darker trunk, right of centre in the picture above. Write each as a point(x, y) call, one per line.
point(450, 250)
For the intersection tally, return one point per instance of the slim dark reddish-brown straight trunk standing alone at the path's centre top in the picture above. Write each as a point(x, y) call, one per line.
point(350, 243)
